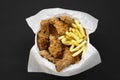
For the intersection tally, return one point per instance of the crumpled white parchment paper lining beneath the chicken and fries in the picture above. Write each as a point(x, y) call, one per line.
point(90, 59)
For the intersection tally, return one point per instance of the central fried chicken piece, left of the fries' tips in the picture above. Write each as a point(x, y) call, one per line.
point(55, 47)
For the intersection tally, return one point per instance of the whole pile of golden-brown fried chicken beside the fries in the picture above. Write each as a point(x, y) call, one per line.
point(51, 47)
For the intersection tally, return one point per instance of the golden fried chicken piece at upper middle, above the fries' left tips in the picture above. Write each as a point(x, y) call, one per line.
point(60, 26)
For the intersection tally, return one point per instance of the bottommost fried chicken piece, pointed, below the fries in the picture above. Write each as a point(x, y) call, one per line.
point(67, 60)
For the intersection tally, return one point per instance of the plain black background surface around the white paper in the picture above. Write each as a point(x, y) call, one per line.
point(16, 38)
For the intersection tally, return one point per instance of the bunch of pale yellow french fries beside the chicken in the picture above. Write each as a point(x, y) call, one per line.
point(76, 38)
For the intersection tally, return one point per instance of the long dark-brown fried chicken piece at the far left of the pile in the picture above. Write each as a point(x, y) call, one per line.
point(43, 35)
